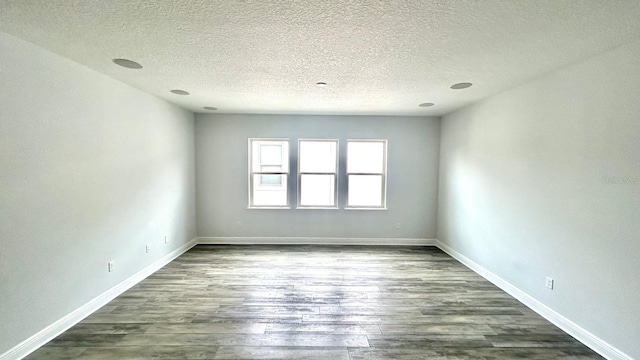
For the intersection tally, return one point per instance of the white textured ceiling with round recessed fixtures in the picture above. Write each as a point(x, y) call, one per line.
point(378, 57)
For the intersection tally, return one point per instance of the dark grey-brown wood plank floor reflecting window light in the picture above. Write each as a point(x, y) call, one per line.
point(314, 302)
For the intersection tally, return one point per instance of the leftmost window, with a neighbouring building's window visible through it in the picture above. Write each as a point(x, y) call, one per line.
point(268, 173)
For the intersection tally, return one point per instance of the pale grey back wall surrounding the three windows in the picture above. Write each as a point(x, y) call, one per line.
point(221, 157)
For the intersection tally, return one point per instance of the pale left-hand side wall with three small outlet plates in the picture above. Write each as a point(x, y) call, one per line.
point(91, 170)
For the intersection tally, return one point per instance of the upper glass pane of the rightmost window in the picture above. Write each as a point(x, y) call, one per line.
point(365, 157)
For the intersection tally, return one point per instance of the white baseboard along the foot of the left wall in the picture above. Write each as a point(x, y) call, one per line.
point(50, 332)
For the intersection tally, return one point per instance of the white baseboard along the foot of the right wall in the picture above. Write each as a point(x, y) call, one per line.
point(587, 338)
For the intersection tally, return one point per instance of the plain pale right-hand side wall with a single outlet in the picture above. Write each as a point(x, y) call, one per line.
point(544, 180)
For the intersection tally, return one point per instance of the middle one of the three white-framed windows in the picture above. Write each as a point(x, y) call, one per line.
point(317, 173)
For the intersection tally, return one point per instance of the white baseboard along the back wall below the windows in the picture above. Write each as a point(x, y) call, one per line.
point(315, 241)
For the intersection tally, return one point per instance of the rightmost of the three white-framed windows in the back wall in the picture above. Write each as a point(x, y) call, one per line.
point(366, 173)
